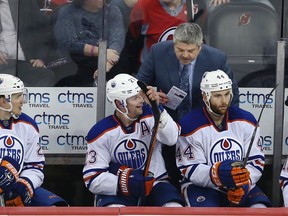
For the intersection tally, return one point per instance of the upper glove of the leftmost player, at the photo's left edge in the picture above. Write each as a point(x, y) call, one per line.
point(9, 169)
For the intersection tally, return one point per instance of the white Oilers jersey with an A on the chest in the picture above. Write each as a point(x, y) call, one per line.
point(108, 141)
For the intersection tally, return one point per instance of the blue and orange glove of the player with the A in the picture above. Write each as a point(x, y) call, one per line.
point(133, 183)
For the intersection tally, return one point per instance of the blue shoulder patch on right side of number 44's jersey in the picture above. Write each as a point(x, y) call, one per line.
point(237, 113)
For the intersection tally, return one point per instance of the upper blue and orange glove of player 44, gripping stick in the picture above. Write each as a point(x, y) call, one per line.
point(229, 174)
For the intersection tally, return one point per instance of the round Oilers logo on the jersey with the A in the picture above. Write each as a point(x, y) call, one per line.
point(132, 153)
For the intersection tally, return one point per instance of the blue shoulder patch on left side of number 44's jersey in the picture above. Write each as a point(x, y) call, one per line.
point(193, 120)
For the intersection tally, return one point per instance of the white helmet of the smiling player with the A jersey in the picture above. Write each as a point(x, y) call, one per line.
point(121, 87)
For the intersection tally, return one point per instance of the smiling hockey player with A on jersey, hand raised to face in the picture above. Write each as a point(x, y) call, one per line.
point(118, 148)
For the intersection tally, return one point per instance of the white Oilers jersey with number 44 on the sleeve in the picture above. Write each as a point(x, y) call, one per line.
point(202, 143)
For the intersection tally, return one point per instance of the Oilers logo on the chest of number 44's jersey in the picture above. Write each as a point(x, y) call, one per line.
point(226, 149)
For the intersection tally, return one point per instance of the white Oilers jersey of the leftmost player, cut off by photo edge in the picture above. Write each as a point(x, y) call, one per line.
point(19, 139)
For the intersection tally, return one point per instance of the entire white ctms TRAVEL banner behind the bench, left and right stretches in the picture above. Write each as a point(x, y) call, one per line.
point(65, 115)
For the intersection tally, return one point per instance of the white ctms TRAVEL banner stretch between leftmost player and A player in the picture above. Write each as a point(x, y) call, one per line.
point(64, 117)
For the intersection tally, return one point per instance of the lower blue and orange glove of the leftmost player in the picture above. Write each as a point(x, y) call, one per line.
point(21, 195)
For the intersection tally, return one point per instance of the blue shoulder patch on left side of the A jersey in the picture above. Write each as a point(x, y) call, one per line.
point(101, 128)
